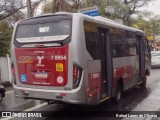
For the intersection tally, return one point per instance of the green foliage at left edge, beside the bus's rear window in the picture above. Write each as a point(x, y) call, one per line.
point(5, 38)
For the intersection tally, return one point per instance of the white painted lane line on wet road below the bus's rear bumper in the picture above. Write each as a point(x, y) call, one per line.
point(27, 110)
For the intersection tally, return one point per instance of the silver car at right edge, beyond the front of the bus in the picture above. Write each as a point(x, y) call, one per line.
point(155, 60)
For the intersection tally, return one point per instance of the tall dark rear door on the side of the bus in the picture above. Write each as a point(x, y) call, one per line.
point(106, 62)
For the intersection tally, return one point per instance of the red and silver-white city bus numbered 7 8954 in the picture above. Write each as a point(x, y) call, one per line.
point(78, 59)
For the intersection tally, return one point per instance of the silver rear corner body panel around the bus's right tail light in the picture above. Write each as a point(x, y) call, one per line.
point(78, 56)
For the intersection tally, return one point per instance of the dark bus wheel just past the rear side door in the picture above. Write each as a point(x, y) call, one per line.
point(118, 93)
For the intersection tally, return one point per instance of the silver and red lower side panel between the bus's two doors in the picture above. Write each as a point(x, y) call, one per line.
point(125, 69)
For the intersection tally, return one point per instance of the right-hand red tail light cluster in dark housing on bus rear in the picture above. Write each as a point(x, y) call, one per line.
point(77, 73)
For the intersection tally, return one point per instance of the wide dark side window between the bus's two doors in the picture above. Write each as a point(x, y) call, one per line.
point(123, 43)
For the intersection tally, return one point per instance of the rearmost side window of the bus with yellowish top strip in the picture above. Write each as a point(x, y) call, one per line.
point(91, 39)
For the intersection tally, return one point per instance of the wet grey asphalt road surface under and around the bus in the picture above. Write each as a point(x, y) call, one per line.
point(135, 99)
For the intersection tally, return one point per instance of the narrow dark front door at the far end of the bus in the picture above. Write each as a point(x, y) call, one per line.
point(141, 54)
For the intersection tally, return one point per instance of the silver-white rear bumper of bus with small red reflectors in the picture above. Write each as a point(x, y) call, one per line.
point(75, 96)
